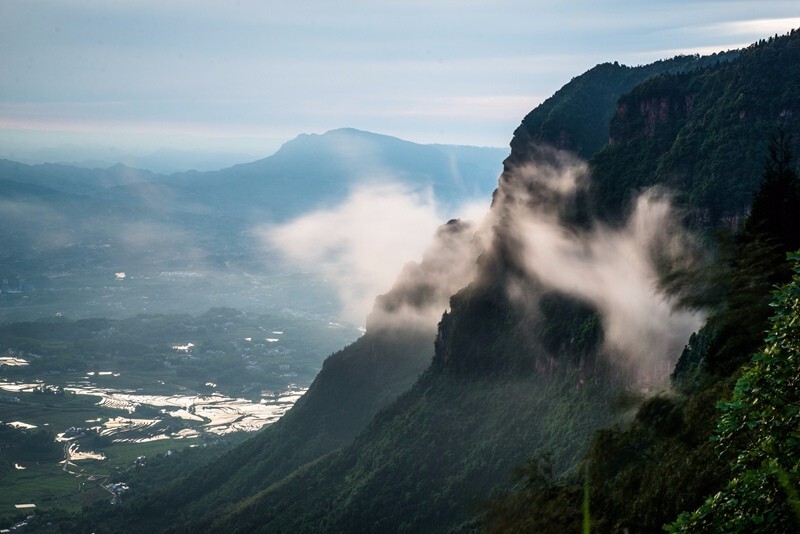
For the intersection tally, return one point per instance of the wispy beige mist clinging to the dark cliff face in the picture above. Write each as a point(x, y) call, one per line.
point(616, 269)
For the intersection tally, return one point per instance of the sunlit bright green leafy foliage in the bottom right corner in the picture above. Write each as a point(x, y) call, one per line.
point(758, 431)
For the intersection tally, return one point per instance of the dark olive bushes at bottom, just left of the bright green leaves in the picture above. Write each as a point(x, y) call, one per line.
point(640, 475)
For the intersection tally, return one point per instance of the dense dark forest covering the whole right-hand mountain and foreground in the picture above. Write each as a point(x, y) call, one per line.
point(515, 415)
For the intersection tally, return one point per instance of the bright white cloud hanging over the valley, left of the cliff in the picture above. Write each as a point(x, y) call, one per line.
point(362, 244)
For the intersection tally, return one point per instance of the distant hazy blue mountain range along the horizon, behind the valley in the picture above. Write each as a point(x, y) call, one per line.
point(307, 173)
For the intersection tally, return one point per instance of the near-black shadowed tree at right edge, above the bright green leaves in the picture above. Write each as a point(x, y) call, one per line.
point(737, 286)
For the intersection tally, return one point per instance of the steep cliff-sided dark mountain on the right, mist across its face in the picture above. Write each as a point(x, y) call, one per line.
point(565, 319)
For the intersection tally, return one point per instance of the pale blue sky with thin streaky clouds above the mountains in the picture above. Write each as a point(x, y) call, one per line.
point(111, 77)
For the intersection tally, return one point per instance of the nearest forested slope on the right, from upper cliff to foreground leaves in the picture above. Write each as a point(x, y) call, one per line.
point(680, 450)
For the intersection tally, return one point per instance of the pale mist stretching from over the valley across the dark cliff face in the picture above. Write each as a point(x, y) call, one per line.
point(362, 244)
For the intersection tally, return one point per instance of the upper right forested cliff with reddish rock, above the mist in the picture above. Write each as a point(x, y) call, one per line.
point(701, 133)
